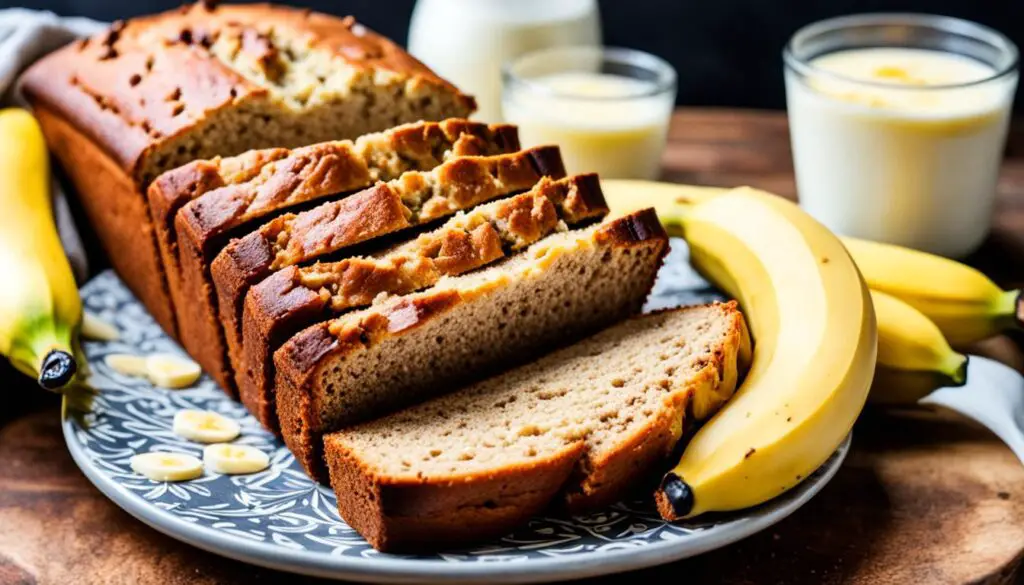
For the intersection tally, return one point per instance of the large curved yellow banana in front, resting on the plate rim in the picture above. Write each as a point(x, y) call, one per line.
point(815, 352)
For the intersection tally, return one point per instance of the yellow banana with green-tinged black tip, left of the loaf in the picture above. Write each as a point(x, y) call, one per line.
point(40, 309)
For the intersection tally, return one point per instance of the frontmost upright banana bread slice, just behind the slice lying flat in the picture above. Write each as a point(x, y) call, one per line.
point(410, 348)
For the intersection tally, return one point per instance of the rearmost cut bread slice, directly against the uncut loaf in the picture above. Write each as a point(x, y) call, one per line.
point(321, 170)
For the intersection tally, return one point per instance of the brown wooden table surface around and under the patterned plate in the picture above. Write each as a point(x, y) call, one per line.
point(923, 498)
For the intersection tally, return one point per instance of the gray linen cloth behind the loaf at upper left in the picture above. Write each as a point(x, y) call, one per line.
point(25, 37)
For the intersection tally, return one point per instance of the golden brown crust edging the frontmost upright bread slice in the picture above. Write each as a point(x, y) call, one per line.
point(300, 361)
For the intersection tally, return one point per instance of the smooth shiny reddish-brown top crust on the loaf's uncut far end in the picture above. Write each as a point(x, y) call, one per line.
point(117, 91)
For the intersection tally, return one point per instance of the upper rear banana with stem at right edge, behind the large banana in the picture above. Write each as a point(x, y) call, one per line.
point(964, 304)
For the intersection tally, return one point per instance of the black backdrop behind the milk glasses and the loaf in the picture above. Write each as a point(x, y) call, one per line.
point(728, 53)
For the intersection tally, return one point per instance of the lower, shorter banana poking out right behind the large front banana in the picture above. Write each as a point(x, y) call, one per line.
point(914, 357)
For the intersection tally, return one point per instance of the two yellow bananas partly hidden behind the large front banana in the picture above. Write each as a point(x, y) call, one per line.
point(925, 304)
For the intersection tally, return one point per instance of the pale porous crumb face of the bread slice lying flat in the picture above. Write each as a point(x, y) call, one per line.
point(602, 392)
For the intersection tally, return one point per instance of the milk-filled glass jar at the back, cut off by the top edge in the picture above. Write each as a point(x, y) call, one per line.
point(468, 41)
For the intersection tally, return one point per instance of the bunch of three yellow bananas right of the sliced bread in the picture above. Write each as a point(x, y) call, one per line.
point(765, 253)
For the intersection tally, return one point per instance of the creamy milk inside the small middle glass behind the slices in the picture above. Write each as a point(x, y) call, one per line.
point(610, 124)
